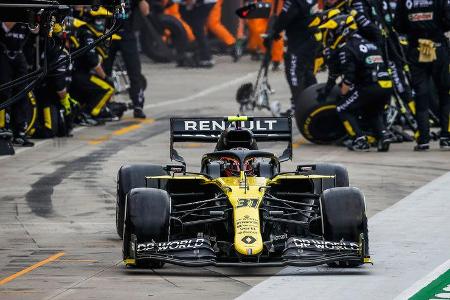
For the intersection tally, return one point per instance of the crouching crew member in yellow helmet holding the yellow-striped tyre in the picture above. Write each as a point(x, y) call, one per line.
point(366, 86)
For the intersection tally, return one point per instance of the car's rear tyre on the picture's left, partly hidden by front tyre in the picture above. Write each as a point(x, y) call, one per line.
point(129, 177)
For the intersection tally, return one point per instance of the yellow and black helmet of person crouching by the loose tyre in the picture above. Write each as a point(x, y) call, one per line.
point(337, 29)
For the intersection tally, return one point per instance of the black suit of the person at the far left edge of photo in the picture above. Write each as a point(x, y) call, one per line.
point(12, 66)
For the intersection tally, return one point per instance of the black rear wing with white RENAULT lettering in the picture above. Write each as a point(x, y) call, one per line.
point(208, 130)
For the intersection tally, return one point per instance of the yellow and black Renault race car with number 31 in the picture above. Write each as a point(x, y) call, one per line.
point(239, 210)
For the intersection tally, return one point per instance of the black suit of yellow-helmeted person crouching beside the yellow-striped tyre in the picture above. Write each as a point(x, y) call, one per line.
point(361, 66)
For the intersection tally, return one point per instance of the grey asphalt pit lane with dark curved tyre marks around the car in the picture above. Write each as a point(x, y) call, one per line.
point(59, 198)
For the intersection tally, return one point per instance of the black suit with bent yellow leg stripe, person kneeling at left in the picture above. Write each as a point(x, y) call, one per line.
point(86, 87)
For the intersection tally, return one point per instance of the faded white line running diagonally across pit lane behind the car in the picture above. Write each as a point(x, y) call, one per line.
point(193, 97)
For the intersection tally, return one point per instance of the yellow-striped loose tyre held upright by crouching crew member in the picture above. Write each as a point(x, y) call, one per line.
point(318, 121)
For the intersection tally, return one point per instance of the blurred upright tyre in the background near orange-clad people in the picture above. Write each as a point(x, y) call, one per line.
point(163, 38)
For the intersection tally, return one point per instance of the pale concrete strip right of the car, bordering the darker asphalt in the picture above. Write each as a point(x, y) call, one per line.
point(407, 241)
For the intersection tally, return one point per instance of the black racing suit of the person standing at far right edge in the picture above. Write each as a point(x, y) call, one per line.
point(427, 20)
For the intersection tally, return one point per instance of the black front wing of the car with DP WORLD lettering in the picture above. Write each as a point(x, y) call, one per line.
point(301, 252)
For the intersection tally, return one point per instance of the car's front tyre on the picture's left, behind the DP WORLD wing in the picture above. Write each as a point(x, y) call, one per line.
point(147, 218)
